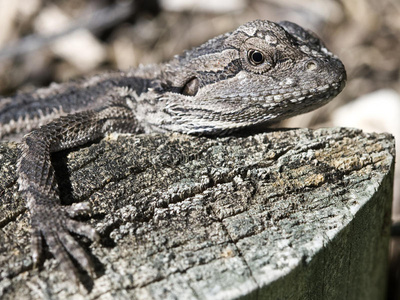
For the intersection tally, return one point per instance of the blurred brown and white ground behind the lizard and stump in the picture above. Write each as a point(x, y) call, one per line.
point(43, 41)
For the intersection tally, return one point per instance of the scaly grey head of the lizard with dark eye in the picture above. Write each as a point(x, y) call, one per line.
point(260, 73)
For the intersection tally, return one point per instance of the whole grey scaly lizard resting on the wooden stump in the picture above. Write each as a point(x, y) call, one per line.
point(256, 75)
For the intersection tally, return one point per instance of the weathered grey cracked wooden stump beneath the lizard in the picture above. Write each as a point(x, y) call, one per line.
point(296, 214)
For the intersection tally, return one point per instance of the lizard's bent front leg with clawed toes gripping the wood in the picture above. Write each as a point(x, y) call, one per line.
point(49, 220)
